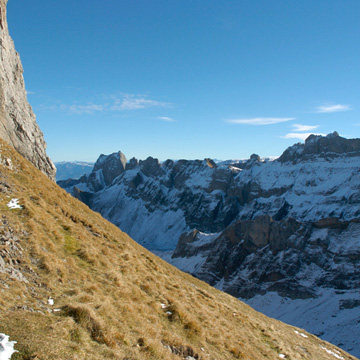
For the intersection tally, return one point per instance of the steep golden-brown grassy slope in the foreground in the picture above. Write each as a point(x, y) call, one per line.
point(109, 289)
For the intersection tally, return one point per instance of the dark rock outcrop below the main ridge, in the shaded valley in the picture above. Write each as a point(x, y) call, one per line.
point(261, 255)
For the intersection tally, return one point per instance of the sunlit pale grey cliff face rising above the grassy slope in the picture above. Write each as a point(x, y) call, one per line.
point(18, 124)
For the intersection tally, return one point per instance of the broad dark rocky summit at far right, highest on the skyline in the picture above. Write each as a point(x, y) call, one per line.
point(330, 146)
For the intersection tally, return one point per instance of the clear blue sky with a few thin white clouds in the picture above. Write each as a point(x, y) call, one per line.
point(188, 79)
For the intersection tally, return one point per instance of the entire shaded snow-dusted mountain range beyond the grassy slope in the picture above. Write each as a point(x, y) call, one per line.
point(282, 234)
